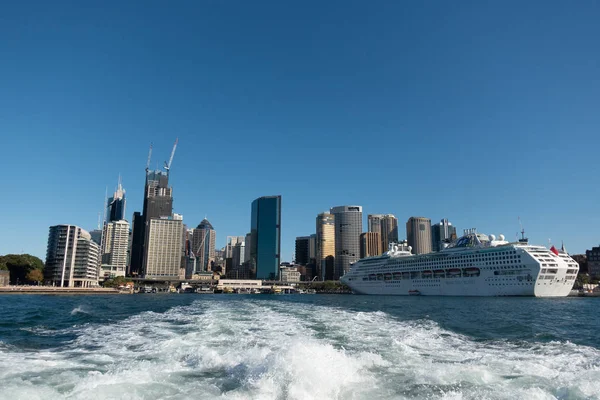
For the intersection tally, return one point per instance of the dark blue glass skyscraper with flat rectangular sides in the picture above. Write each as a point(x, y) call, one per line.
point(265, 240)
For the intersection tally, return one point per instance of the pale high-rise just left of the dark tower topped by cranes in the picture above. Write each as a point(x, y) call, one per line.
point(114, 252)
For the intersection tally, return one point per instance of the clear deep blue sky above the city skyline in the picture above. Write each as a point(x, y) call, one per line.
point(476, 111)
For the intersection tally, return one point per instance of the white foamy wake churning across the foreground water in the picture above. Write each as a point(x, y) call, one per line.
point(256, 349)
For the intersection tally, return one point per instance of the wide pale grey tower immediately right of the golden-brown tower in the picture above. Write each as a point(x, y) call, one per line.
point(348, 227)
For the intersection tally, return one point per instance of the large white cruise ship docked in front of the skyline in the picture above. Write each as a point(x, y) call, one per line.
point(474, 265)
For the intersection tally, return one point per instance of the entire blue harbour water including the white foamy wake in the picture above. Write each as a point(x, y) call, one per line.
point(298, 347)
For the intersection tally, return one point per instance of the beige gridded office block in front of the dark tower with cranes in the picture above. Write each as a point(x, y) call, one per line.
point(163, 253)
